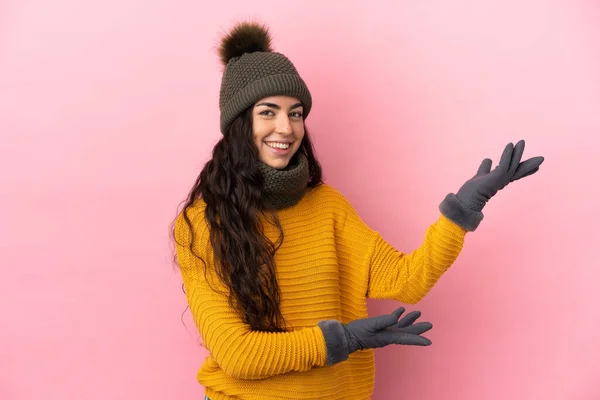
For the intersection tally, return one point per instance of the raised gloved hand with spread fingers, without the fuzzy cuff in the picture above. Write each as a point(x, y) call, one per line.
point(480, 188)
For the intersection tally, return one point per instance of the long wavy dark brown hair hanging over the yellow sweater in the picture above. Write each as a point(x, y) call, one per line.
point(231, 185)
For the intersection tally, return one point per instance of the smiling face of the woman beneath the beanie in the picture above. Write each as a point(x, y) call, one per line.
point(278, 129)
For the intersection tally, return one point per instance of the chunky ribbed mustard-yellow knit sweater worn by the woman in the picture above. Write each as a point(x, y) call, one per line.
point(329, 264)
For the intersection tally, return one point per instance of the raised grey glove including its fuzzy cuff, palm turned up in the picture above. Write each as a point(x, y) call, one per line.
point(464, 207)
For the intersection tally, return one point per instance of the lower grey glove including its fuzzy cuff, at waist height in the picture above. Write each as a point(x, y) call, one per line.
point(370, 333)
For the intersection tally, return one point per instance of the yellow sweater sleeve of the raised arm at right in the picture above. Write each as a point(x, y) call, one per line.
point(392, 274)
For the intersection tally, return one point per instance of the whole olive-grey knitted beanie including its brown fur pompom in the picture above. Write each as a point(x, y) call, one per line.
point(254, 71)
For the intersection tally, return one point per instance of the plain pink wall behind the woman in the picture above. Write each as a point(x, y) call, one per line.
point(108, 110)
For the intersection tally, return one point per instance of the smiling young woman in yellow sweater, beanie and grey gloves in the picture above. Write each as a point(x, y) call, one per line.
point(277, 265)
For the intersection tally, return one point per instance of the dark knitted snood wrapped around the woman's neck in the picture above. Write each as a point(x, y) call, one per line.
point(284, 188)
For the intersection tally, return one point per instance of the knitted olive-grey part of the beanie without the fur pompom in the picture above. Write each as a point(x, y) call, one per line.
point(253, 76)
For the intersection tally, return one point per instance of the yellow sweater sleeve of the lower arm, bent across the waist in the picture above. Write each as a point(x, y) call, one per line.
point(239, 351)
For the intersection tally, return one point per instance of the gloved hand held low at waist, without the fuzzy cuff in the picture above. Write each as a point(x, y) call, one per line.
point(383, 330)
